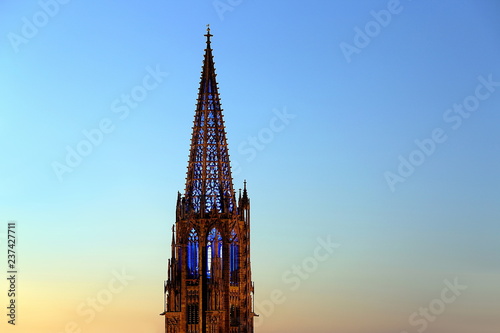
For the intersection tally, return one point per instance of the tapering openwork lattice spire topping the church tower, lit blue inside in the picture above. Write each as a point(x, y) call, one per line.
point(209, 182)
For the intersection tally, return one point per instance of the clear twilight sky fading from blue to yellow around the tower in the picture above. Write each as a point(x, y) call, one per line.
point(356, 105)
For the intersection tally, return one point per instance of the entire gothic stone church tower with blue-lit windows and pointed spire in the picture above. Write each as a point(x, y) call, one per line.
point(209, 287)
